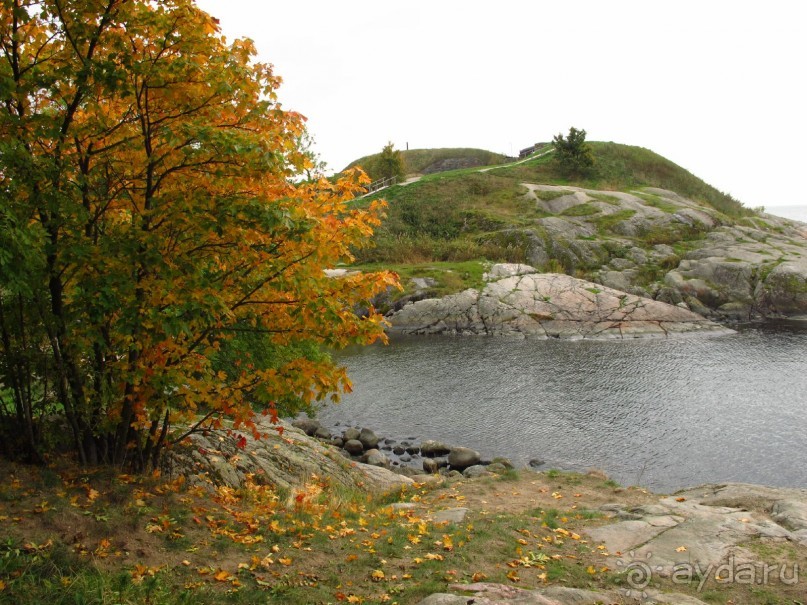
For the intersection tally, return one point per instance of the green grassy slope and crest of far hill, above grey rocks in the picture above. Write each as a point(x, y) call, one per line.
point(452, 216)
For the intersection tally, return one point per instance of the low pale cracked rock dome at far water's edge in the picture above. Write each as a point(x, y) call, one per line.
point(519, 301)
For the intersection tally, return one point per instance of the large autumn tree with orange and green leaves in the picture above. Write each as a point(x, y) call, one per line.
point(151, 210)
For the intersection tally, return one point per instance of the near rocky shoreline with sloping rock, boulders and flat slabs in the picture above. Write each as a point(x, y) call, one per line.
point(690, 538)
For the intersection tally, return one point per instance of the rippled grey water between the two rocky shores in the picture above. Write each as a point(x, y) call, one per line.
point(661, 413)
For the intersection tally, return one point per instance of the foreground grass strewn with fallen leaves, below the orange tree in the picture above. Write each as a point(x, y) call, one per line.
point(246, 546)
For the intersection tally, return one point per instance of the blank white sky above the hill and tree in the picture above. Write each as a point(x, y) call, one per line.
point(718, 87)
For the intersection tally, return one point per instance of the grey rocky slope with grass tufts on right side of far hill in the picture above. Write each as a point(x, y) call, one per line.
point(743, 268)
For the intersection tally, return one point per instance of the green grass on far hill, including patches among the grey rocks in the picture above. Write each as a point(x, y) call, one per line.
point(465, 215)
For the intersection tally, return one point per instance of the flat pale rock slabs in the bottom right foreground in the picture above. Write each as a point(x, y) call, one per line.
point(707, 536)
